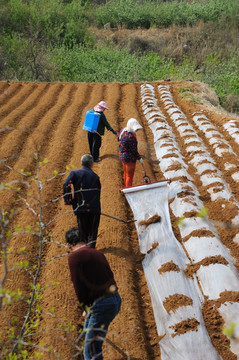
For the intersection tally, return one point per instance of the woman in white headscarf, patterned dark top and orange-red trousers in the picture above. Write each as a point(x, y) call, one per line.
point(128, 150)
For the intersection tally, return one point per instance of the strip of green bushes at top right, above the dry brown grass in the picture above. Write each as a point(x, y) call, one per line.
point(131, 13)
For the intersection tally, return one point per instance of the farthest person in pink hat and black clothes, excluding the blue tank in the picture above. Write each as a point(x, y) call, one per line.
point(95, 139)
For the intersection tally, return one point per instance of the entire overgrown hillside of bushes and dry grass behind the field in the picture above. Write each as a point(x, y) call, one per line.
point(60, 40)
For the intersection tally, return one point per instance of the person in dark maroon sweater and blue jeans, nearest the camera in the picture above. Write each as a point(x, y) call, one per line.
point(96, 290)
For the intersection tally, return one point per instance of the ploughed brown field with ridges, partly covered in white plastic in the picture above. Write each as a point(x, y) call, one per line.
point(184, 139)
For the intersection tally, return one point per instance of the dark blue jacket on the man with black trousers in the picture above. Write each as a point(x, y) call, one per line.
point(88, 200)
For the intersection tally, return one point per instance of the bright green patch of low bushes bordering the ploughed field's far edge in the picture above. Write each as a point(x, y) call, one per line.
point(107, 65)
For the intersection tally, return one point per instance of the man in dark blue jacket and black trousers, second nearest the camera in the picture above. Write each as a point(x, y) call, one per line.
point(86, 202)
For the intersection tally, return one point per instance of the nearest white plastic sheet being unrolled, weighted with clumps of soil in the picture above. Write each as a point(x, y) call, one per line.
point(176, 298)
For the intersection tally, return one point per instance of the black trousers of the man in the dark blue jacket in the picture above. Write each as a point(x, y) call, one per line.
point(88, 224)
